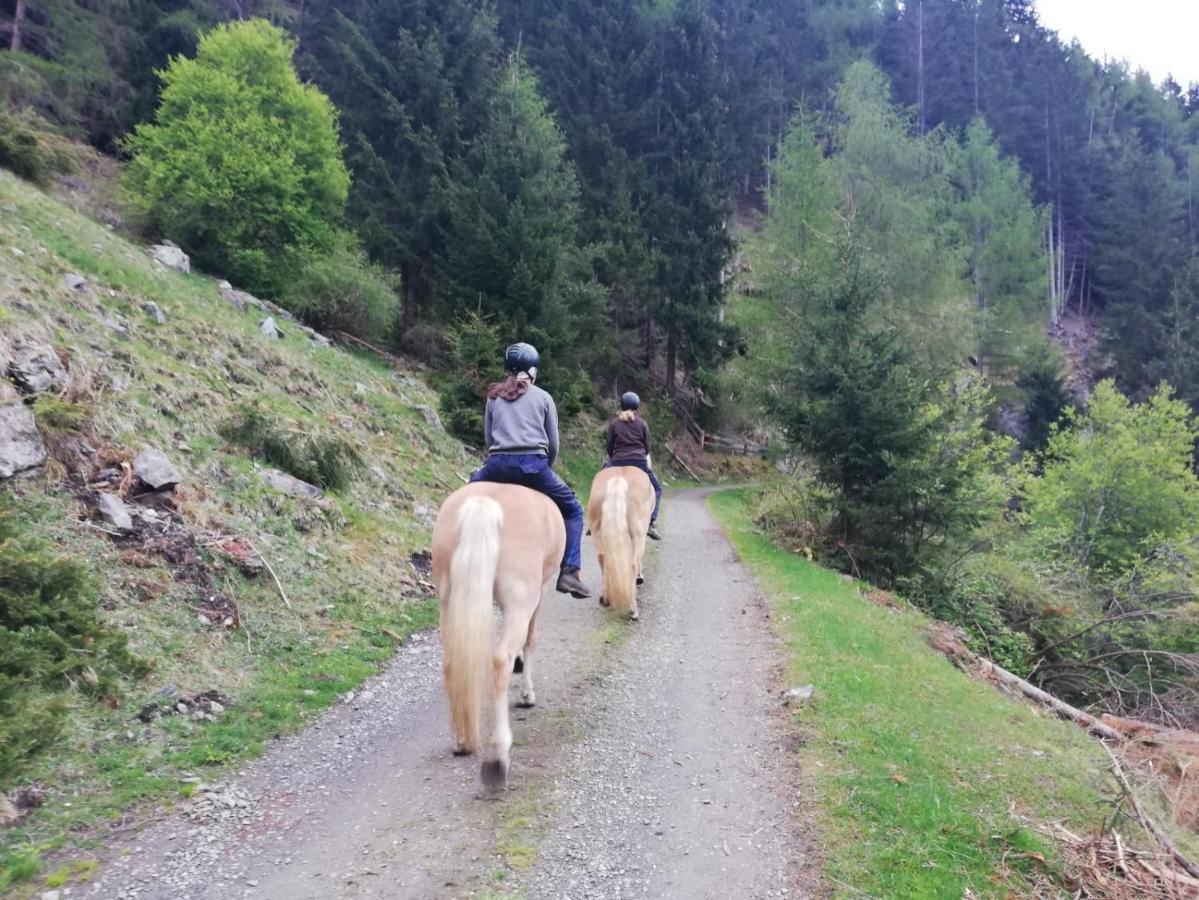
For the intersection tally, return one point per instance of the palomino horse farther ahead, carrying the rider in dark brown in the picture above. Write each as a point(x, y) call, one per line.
point(619, 516)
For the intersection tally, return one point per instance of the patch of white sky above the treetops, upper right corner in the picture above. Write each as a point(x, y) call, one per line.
point(1161, 37)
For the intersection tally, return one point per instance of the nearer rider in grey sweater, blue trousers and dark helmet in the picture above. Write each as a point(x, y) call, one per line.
point(521, 430)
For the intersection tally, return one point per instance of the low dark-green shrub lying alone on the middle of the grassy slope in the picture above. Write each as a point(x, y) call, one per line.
point(318, 460)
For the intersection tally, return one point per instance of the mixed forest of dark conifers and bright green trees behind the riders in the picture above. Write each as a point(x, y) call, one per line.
point(945, 261)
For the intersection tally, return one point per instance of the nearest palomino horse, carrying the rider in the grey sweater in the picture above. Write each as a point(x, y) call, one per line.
point(492, 545)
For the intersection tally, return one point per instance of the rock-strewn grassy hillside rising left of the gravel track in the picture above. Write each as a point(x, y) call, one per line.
point(179, 589)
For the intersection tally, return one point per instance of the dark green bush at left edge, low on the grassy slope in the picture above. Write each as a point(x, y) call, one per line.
point(52, 642)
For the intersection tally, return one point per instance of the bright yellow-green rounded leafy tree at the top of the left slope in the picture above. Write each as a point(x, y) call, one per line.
point(242, 165)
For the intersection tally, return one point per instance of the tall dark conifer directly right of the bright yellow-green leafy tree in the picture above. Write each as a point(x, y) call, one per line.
point(413, 82)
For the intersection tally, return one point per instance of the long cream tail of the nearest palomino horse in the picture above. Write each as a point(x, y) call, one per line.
point(467, 617)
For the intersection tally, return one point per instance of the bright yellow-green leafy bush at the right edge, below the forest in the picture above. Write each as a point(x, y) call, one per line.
point(1118, 481)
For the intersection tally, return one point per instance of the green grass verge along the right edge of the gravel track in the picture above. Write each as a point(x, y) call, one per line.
point(917, 769)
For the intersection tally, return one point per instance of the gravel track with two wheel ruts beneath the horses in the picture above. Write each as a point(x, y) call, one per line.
point(654, 766)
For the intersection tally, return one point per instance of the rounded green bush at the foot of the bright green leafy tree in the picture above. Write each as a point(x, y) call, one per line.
point(345, 292)
